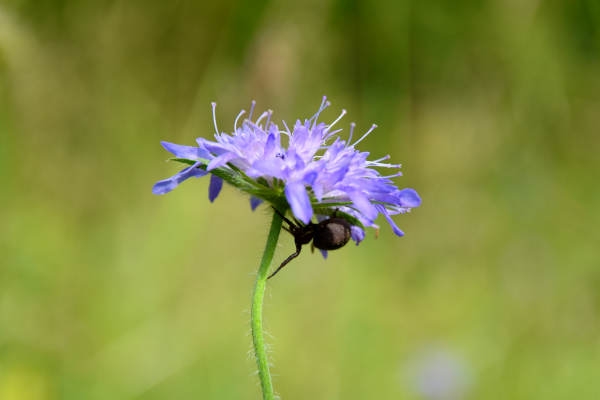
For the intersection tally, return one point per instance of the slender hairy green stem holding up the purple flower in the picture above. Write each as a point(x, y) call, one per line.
point(257, 303)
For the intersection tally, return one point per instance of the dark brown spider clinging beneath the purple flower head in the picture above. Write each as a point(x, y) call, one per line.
point(329, 234)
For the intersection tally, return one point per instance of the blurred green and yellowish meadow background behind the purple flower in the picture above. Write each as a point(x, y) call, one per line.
point(110, 292)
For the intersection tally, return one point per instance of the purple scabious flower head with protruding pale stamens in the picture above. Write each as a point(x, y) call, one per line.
point(316, 174)
